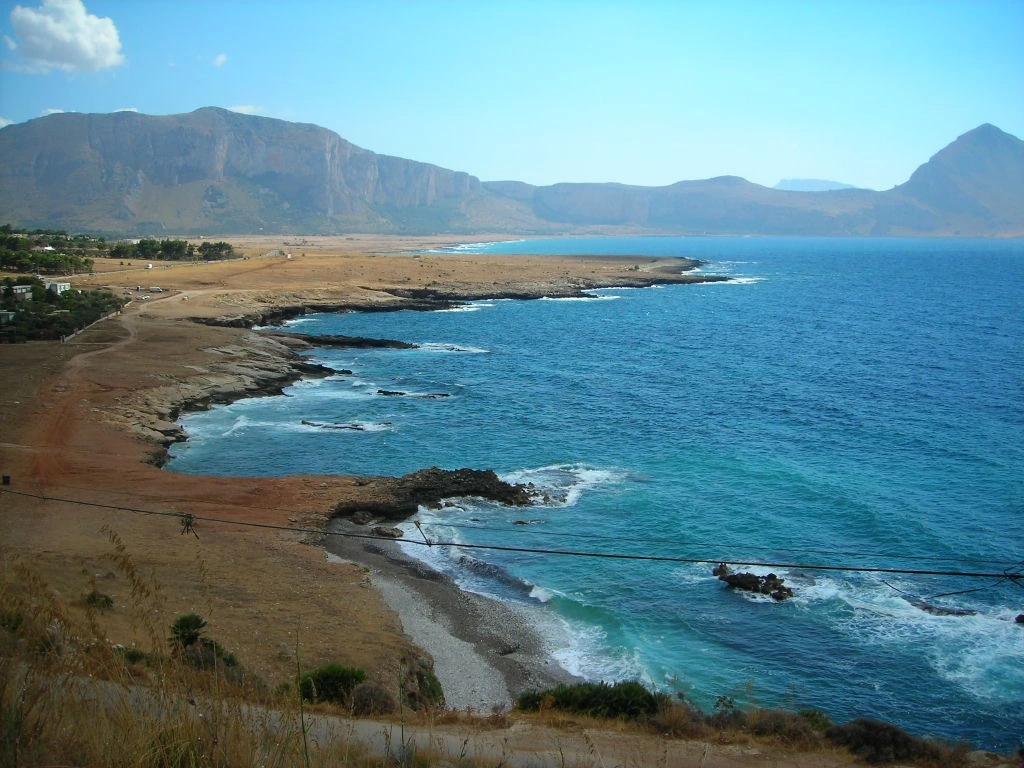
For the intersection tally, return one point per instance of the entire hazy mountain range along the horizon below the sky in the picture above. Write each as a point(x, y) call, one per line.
point(219, 173)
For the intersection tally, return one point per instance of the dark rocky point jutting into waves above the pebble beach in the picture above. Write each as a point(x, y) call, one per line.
point(399, 498)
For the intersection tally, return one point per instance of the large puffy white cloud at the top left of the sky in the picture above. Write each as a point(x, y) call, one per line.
point(61, 35)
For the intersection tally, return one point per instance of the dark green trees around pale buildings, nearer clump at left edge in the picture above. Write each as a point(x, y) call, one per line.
point(49, 316)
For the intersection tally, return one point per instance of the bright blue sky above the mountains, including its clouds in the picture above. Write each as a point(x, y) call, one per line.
point(562, 91)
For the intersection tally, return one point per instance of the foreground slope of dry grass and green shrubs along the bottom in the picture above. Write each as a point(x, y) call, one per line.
point(69, 698)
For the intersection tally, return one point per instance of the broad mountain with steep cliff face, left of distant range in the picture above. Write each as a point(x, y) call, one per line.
point(188, 173)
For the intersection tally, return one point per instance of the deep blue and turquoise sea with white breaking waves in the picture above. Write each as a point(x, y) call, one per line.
point(842, 403)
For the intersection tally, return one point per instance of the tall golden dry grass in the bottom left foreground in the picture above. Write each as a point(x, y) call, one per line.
point(70, 698)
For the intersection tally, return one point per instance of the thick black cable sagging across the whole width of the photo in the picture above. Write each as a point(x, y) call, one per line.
point(1007, 575)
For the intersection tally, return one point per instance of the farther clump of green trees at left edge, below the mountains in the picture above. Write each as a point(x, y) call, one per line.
point(48, 252)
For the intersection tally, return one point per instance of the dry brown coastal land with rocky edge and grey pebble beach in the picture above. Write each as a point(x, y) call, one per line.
point(87, 425)
